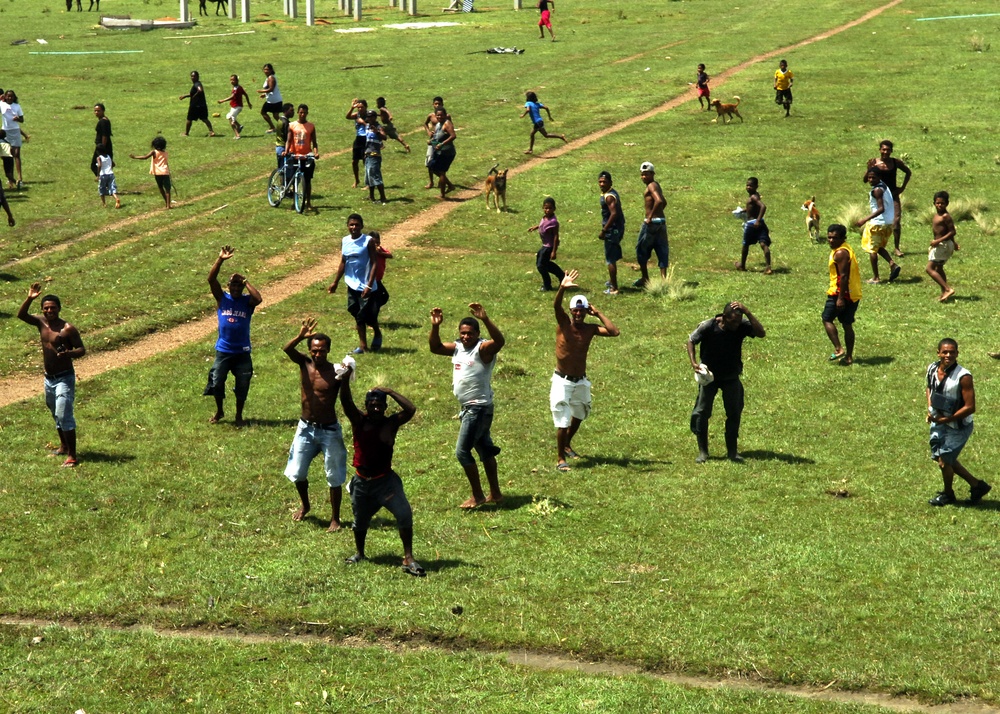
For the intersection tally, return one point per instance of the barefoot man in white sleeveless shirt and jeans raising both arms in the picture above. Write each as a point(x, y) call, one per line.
point(474, 359)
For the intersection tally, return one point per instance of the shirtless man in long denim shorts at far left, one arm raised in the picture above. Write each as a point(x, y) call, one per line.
point(61, 344)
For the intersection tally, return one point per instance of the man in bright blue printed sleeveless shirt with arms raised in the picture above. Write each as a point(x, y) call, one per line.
point(232, 349)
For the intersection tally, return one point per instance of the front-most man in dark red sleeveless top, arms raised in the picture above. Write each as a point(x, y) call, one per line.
point(375, 484)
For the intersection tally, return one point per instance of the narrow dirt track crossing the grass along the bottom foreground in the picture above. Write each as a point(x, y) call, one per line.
point(541, 662)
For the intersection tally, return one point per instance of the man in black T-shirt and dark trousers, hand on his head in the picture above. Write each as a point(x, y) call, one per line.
point(721, 339)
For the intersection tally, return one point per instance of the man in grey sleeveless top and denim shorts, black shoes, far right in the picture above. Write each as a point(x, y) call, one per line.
point(951, 402)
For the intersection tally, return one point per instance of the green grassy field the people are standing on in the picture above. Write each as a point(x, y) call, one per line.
point(638, 555)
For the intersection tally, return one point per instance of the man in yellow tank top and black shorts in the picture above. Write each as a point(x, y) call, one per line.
point(843, 295)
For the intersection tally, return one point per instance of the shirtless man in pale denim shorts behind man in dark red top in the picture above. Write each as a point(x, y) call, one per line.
point(318, 429)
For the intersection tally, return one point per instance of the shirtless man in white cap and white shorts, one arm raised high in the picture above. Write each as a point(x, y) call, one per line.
point(569, 398)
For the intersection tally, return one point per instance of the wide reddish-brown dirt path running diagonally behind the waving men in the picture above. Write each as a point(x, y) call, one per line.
point(17, 388)
